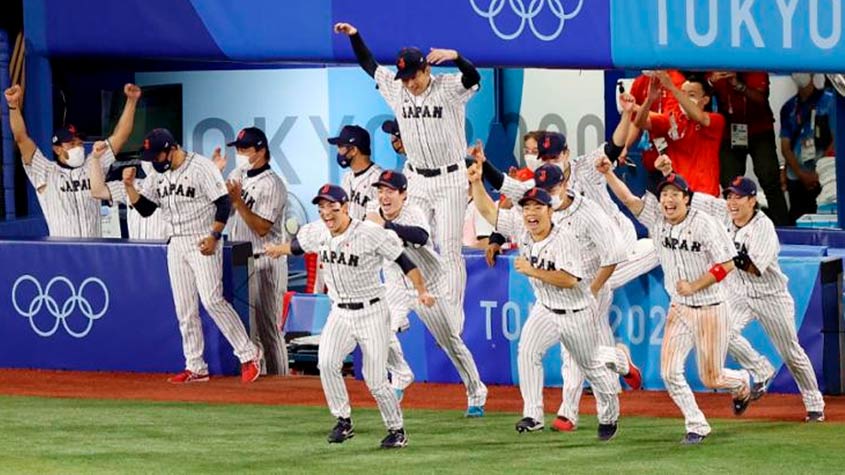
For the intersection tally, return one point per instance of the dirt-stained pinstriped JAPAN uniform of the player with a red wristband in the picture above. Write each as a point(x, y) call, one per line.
point(687, 250)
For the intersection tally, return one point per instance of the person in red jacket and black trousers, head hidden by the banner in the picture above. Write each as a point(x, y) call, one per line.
point(743, 99)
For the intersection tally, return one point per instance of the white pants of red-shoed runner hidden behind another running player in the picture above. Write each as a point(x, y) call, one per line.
point(573, 376)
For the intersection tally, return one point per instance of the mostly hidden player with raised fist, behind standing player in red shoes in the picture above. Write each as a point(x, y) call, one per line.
point(153, 227)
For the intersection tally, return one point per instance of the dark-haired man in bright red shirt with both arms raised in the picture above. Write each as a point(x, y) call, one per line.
point(693, 134)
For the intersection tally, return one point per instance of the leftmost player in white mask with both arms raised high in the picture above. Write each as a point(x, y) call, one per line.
point(63, 187)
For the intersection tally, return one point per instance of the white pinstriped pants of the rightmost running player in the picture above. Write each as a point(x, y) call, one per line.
point(777, 316)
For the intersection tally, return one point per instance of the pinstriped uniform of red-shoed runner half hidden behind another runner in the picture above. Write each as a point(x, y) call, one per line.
point(600, 246)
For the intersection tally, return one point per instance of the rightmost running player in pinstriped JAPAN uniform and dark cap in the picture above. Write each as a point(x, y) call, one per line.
point(758, 290)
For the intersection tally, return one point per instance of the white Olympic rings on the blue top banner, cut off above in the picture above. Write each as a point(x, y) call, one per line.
point(527, 16)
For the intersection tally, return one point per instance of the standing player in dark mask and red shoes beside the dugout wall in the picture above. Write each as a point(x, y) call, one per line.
point(195, 203)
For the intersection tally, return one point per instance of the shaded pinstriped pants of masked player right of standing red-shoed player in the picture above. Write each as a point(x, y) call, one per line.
point(271, 277)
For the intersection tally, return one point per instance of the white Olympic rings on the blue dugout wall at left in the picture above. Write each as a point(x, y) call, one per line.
point(44, 299)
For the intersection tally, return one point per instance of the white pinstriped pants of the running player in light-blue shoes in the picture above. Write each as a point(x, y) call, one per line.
point(446, 333)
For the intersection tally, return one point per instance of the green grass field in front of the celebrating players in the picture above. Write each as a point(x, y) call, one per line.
point(39, 435)
